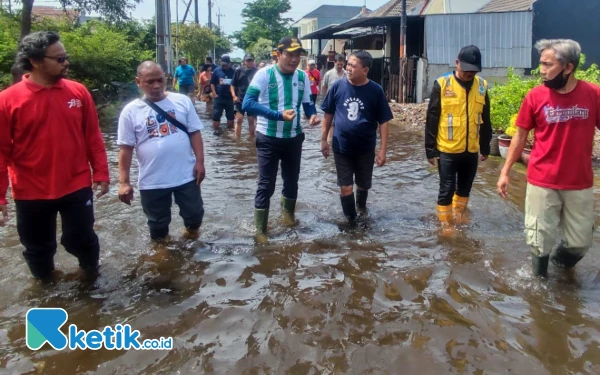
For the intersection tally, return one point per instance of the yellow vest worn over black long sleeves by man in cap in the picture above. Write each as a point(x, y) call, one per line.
point(455, 133)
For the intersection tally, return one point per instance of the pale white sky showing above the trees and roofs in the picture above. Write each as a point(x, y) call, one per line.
point(231, 9)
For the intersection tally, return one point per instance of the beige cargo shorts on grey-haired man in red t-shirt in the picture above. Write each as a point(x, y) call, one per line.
point(548, 211)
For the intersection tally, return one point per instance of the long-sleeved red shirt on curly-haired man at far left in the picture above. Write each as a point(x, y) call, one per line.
point(49, 138)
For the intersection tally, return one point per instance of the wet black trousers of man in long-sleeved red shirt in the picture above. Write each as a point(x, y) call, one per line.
point(36, 224)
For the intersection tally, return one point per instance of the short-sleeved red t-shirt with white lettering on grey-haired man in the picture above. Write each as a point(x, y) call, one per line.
point(564, 126)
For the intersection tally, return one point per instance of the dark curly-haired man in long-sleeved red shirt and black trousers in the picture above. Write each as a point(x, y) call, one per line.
point(49, 138)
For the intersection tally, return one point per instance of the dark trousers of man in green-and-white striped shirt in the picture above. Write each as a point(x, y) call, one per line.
point(269, 151)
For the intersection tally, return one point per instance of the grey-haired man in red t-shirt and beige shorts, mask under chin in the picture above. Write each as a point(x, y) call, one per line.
point(563, 114)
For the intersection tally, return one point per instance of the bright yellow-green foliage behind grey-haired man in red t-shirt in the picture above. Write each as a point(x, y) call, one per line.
point(506, 99)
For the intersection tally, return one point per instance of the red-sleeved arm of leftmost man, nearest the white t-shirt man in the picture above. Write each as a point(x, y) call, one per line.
point(96, 152)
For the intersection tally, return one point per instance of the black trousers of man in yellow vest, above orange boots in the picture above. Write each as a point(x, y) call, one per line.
point(457, 172)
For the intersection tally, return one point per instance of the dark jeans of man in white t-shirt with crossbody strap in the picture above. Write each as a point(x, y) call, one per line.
point(157, 207)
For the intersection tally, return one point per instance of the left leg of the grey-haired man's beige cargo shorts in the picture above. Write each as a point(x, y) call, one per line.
point(542, 217)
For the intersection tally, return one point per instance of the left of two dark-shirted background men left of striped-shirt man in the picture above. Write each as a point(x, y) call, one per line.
point(219, 83)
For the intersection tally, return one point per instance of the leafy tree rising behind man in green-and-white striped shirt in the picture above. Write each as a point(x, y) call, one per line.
point(263, 19)
